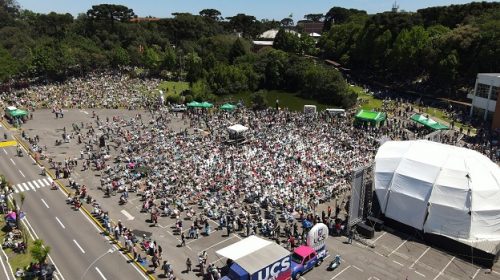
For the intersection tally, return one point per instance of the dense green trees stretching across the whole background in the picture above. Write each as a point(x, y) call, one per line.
point(441, 47)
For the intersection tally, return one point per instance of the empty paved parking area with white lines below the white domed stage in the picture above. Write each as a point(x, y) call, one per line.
point(399, 256)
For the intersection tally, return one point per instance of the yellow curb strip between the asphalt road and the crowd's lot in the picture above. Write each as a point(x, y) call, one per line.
point(63, 187)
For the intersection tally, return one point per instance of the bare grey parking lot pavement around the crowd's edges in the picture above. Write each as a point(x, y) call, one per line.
point(393, 256)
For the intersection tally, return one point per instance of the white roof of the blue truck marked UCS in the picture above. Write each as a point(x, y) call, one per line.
point(253, 253)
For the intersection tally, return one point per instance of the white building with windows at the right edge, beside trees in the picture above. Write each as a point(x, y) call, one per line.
point(484, 97)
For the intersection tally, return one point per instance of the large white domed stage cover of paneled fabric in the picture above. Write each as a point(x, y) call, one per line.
point(440, 189)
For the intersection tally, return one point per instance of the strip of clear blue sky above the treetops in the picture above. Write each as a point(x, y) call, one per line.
point(269, 9)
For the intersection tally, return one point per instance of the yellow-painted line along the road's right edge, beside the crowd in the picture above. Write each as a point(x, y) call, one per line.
point(65, 190)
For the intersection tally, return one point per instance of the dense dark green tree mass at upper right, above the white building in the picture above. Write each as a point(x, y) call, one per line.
point(440, 49)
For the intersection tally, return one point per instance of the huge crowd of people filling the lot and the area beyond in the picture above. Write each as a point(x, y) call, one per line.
point(289, 164)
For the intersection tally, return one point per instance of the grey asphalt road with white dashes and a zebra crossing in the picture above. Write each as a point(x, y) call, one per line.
point(77, 248)
